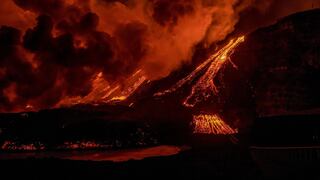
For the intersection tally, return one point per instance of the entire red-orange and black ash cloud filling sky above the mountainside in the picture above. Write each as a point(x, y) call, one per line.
point(51, 49)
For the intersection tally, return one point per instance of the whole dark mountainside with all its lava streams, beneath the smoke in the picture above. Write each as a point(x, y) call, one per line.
point(271, 71)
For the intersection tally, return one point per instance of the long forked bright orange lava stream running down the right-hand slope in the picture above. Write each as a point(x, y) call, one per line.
point(205, 86)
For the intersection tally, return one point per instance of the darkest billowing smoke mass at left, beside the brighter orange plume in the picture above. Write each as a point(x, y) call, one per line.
point(62, 68)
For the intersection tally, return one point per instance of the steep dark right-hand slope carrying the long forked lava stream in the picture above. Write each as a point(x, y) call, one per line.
point(271, 71)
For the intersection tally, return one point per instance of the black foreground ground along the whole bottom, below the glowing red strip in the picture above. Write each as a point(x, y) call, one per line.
point(218, 162)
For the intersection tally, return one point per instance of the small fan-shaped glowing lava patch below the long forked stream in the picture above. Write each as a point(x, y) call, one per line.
point(211, 124)
